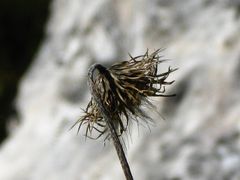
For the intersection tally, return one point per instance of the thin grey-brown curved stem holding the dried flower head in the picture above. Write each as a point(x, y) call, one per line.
point(108, 118)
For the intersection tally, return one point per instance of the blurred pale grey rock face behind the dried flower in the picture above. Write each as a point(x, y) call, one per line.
point(200, 138)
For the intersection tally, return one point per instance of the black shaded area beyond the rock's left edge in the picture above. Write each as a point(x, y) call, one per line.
point(21, 30)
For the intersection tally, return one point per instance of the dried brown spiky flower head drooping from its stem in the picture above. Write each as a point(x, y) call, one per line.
point(123, 89)
